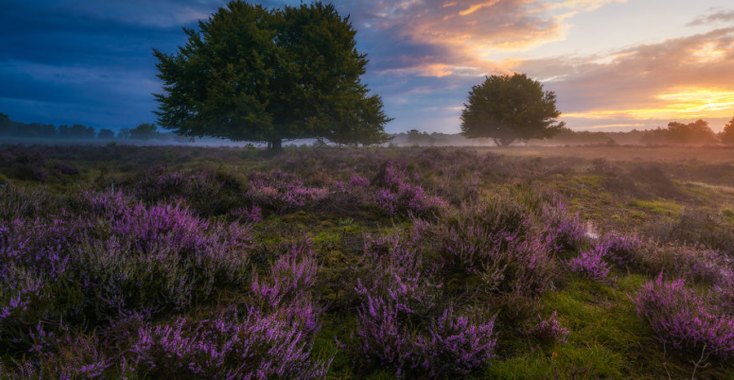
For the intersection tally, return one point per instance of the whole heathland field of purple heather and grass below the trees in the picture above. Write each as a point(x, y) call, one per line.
point(597, 262)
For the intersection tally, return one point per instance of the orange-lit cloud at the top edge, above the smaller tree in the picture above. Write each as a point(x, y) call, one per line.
point(471, 32)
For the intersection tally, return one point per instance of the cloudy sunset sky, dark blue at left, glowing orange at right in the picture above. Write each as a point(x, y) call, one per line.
point(614, 65)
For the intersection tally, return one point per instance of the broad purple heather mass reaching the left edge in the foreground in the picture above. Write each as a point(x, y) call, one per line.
point(113, 256)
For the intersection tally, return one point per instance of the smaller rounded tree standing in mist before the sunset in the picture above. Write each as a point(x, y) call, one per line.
point(506, 108)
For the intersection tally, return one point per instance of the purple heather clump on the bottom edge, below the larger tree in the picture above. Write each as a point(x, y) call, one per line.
point(256, 346)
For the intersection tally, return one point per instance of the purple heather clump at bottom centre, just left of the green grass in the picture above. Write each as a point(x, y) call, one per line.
point(400, 325)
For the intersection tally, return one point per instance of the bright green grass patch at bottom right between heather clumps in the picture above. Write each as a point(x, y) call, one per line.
point(606, 340)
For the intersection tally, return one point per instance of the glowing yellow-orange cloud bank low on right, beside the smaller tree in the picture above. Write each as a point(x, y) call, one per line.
point(684, 77)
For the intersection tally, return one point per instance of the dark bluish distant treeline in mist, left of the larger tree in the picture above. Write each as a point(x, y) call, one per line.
point(17, 129)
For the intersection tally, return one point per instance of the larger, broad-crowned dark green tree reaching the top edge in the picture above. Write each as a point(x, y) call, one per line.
point(255, 74)
